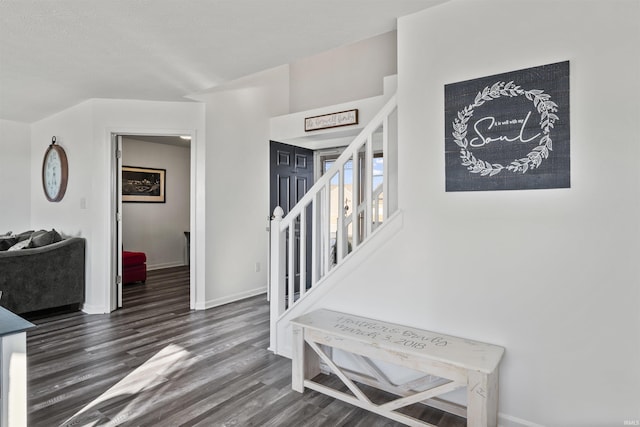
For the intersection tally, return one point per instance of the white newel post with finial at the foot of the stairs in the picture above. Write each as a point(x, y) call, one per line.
point(277, 282)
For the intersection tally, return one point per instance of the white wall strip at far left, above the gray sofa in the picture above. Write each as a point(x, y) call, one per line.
point(15, 176)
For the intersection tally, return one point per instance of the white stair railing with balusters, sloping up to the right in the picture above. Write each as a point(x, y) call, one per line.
point(338, 213)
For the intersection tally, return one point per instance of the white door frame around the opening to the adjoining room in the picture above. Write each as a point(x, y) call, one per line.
point(196, 220)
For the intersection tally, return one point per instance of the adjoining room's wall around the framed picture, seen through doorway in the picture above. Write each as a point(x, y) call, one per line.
point(157, 229)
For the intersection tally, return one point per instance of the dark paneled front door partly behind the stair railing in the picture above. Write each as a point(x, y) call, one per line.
point(291, 176)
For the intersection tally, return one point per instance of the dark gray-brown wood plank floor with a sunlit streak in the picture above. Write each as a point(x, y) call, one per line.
point(157, 363)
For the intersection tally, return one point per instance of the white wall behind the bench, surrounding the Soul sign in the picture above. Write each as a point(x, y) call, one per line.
point(551, 275)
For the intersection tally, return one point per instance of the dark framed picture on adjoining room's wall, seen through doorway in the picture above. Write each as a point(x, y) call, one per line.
point(143, 185)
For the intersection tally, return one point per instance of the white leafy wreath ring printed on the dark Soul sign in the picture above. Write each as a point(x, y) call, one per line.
point(545, 107)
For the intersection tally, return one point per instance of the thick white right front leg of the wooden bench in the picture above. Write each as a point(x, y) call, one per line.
point(482, 400)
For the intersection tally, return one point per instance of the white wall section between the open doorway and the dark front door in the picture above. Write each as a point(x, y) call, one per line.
point(237, 203)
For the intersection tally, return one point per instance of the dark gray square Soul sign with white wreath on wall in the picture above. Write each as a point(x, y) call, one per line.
point(509, 131)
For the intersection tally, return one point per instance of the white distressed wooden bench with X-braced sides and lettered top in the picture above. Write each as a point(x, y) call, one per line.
point(456, 361)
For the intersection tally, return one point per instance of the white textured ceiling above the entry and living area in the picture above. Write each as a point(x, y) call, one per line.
point(57, 53)
